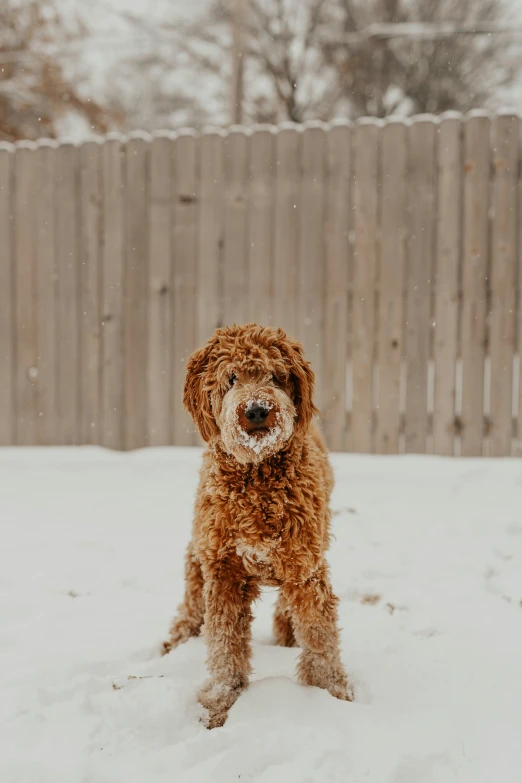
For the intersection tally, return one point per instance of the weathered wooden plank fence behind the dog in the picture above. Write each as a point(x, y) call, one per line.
point(392, 250)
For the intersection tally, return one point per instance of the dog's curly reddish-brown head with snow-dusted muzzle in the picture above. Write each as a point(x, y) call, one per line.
point(251, 387)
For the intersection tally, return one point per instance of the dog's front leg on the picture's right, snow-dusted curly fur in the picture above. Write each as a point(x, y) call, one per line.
point(313, 607)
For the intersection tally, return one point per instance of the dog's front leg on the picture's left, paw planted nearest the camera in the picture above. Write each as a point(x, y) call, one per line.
point(227, 628)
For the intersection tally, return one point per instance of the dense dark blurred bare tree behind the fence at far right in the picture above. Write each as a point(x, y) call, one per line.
point(383, 75)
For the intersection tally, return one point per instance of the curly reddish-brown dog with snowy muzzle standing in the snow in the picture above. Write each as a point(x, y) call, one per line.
point(262, 513)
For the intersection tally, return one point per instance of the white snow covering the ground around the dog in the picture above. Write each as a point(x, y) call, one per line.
point(426, 560)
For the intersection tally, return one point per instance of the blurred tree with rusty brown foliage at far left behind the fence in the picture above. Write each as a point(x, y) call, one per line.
point(34, 93)
